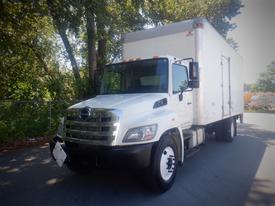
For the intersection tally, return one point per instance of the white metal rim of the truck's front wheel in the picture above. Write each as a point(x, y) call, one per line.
point(167, 163)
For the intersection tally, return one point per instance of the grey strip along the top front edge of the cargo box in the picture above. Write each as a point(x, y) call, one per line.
point(162, 30)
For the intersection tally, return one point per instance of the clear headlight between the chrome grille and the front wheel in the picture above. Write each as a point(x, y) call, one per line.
point(139, 134)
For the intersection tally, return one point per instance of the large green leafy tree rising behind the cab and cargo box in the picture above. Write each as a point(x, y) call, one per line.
point(104, 22)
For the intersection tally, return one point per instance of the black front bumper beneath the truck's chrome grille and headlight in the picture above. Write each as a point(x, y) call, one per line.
point(137, 156)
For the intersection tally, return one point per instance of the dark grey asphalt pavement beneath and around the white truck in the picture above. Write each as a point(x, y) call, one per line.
point(237, 173)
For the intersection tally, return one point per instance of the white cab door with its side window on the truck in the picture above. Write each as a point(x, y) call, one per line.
point(182, 100)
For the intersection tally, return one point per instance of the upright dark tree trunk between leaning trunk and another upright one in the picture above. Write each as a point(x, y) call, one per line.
point(92, 62)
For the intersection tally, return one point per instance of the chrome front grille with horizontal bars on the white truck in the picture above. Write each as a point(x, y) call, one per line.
point(92, 125)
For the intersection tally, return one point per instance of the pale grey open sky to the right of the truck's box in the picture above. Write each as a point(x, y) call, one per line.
point(255, 35)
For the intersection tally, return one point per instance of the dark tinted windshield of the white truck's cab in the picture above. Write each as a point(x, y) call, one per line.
point(145, 76)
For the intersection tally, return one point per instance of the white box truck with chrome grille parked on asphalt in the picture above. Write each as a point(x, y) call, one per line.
point(175, 83)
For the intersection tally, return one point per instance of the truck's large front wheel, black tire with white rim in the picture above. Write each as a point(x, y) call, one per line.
point(164, 165)
